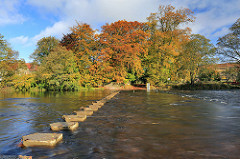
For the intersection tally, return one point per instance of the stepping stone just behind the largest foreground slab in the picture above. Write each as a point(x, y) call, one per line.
point(64, 126)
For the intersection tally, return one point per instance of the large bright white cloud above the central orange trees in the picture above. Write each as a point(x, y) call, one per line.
point(93, 12)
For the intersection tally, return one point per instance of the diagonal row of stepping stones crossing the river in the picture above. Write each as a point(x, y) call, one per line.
point(71, 123)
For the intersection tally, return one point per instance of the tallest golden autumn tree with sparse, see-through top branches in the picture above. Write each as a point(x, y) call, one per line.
point(166, 42)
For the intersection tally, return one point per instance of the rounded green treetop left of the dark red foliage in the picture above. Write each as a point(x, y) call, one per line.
point(44, 47)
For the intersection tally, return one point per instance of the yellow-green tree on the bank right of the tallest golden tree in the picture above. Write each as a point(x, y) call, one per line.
point(196, 53)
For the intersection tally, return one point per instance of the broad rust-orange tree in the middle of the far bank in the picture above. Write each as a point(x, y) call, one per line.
point(123, 48)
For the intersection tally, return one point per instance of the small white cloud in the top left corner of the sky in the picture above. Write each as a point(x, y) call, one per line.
point(9, 12)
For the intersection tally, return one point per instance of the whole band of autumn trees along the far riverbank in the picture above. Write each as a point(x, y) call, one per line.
point(158, 51)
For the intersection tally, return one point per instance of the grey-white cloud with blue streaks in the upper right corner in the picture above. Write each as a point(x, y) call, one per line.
point(213, 16)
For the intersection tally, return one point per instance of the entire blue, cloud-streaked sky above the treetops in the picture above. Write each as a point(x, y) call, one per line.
point(24, 22)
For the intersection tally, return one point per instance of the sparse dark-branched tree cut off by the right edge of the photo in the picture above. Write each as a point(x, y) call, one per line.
point(229, 45)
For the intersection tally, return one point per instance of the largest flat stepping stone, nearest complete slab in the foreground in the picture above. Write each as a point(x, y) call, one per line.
point(41, 139)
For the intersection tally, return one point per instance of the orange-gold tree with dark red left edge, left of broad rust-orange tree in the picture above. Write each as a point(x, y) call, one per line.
point(84, 42)
